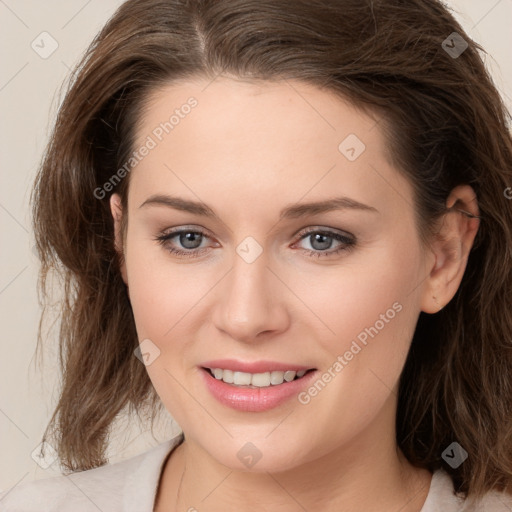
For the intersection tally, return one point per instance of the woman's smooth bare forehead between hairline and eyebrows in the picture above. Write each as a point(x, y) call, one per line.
point(274, 140)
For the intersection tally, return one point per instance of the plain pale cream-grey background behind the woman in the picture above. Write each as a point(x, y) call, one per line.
point(29, 98)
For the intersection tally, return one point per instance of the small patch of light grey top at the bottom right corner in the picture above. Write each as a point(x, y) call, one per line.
point(442, 498)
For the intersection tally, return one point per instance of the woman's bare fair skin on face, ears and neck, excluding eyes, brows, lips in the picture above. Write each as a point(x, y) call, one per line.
point(248, 150)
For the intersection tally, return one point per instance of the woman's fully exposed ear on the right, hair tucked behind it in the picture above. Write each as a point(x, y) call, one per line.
point(451, 248)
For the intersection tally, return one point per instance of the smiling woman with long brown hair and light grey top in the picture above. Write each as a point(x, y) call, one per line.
point(289, 224)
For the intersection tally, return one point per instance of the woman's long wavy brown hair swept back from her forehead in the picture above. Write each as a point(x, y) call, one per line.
point(446, 125)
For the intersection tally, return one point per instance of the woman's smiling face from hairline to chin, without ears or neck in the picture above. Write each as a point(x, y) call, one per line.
point(261, 279)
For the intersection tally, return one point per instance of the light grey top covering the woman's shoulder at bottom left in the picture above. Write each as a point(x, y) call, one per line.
point(123, 486)
